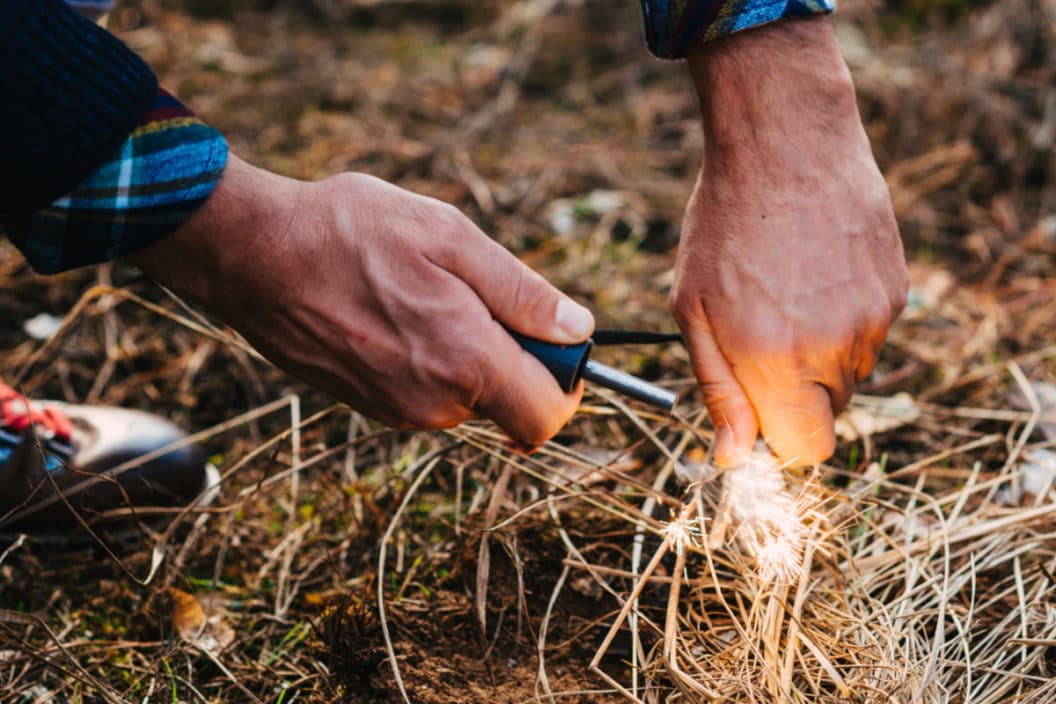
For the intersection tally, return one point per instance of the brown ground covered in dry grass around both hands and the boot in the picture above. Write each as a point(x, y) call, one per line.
point(347, 562)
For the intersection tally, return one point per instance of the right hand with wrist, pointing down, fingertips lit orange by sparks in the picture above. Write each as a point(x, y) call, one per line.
point(790, 270)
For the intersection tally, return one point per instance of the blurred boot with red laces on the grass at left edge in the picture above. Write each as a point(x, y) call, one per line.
point(59, 459)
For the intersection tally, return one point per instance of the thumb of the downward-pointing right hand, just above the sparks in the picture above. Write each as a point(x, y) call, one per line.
point(733, 416)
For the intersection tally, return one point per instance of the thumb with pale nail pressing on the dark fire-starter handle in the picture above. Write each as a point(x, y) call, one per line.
point(518, 297)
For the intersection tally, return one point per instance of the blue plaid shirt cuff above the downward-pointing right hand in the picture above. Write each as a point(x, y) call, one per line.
point(673, 26)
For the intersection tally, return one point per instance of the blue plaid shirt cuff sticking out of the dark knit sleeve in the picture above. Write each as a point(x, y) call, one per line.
point(154, 183)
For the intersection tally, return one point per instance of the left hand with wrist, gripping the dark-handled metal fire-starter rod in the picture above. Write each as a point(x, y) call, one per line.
point(389, 301)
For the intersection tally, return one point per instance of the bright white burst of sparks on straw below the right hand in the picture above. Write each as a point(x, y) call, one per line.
point(770, 522)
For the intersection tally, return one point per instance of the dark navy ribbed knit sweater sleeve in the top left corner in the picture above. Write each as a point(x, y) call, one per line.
point(70, 94)
